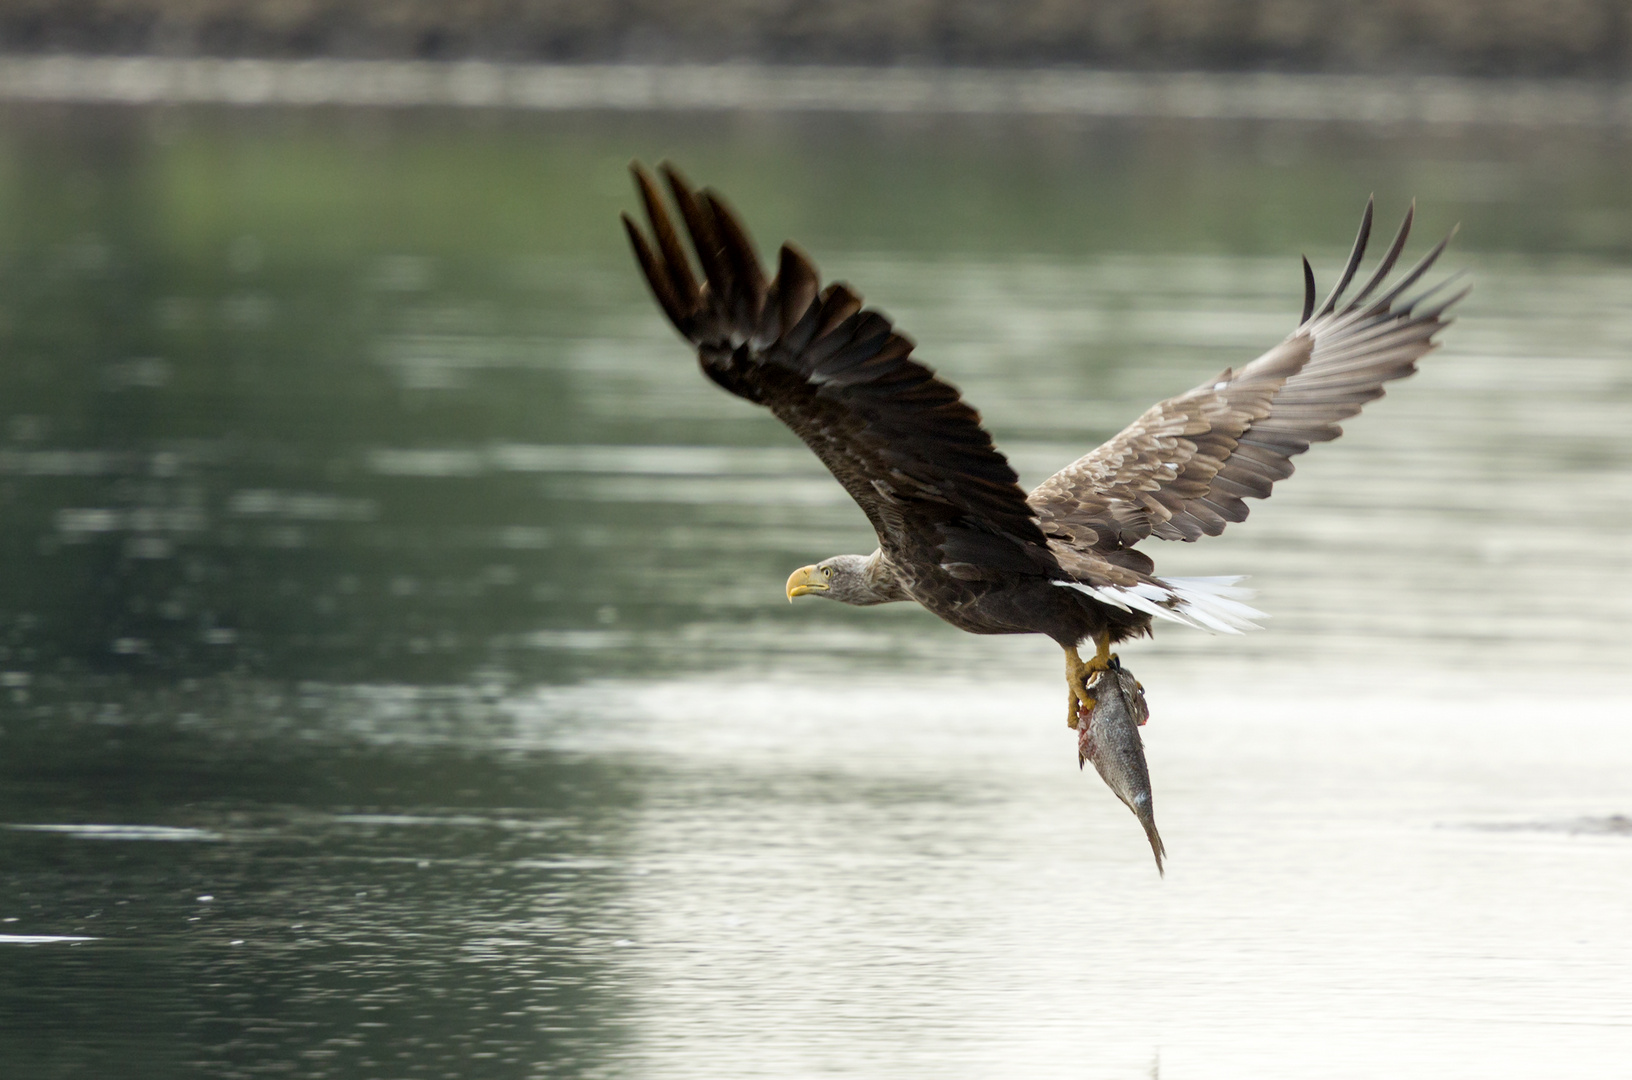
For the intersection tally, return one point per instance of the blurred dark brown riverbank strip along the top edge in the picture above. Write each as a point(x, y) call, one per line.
point(1581, 38)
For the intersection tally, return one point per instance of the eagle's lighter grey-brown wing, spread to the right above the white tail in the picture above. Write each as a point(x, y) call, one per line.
point(1182, 471)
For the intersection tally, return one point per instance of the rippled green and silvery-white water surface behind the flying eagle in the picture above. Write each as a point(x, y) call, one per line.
point(397, 676)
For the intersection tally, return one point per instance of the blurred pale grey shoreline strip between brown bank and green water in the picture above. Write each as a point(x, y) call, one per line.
point(760, 87)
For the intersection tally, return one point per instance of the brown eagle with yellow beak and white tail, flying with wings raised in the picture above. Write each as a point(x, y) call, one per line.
point(956, 531)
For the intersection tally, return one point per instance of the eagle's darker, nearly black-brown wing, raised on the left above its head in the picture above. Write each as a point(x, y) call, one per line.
point(900, 440)
